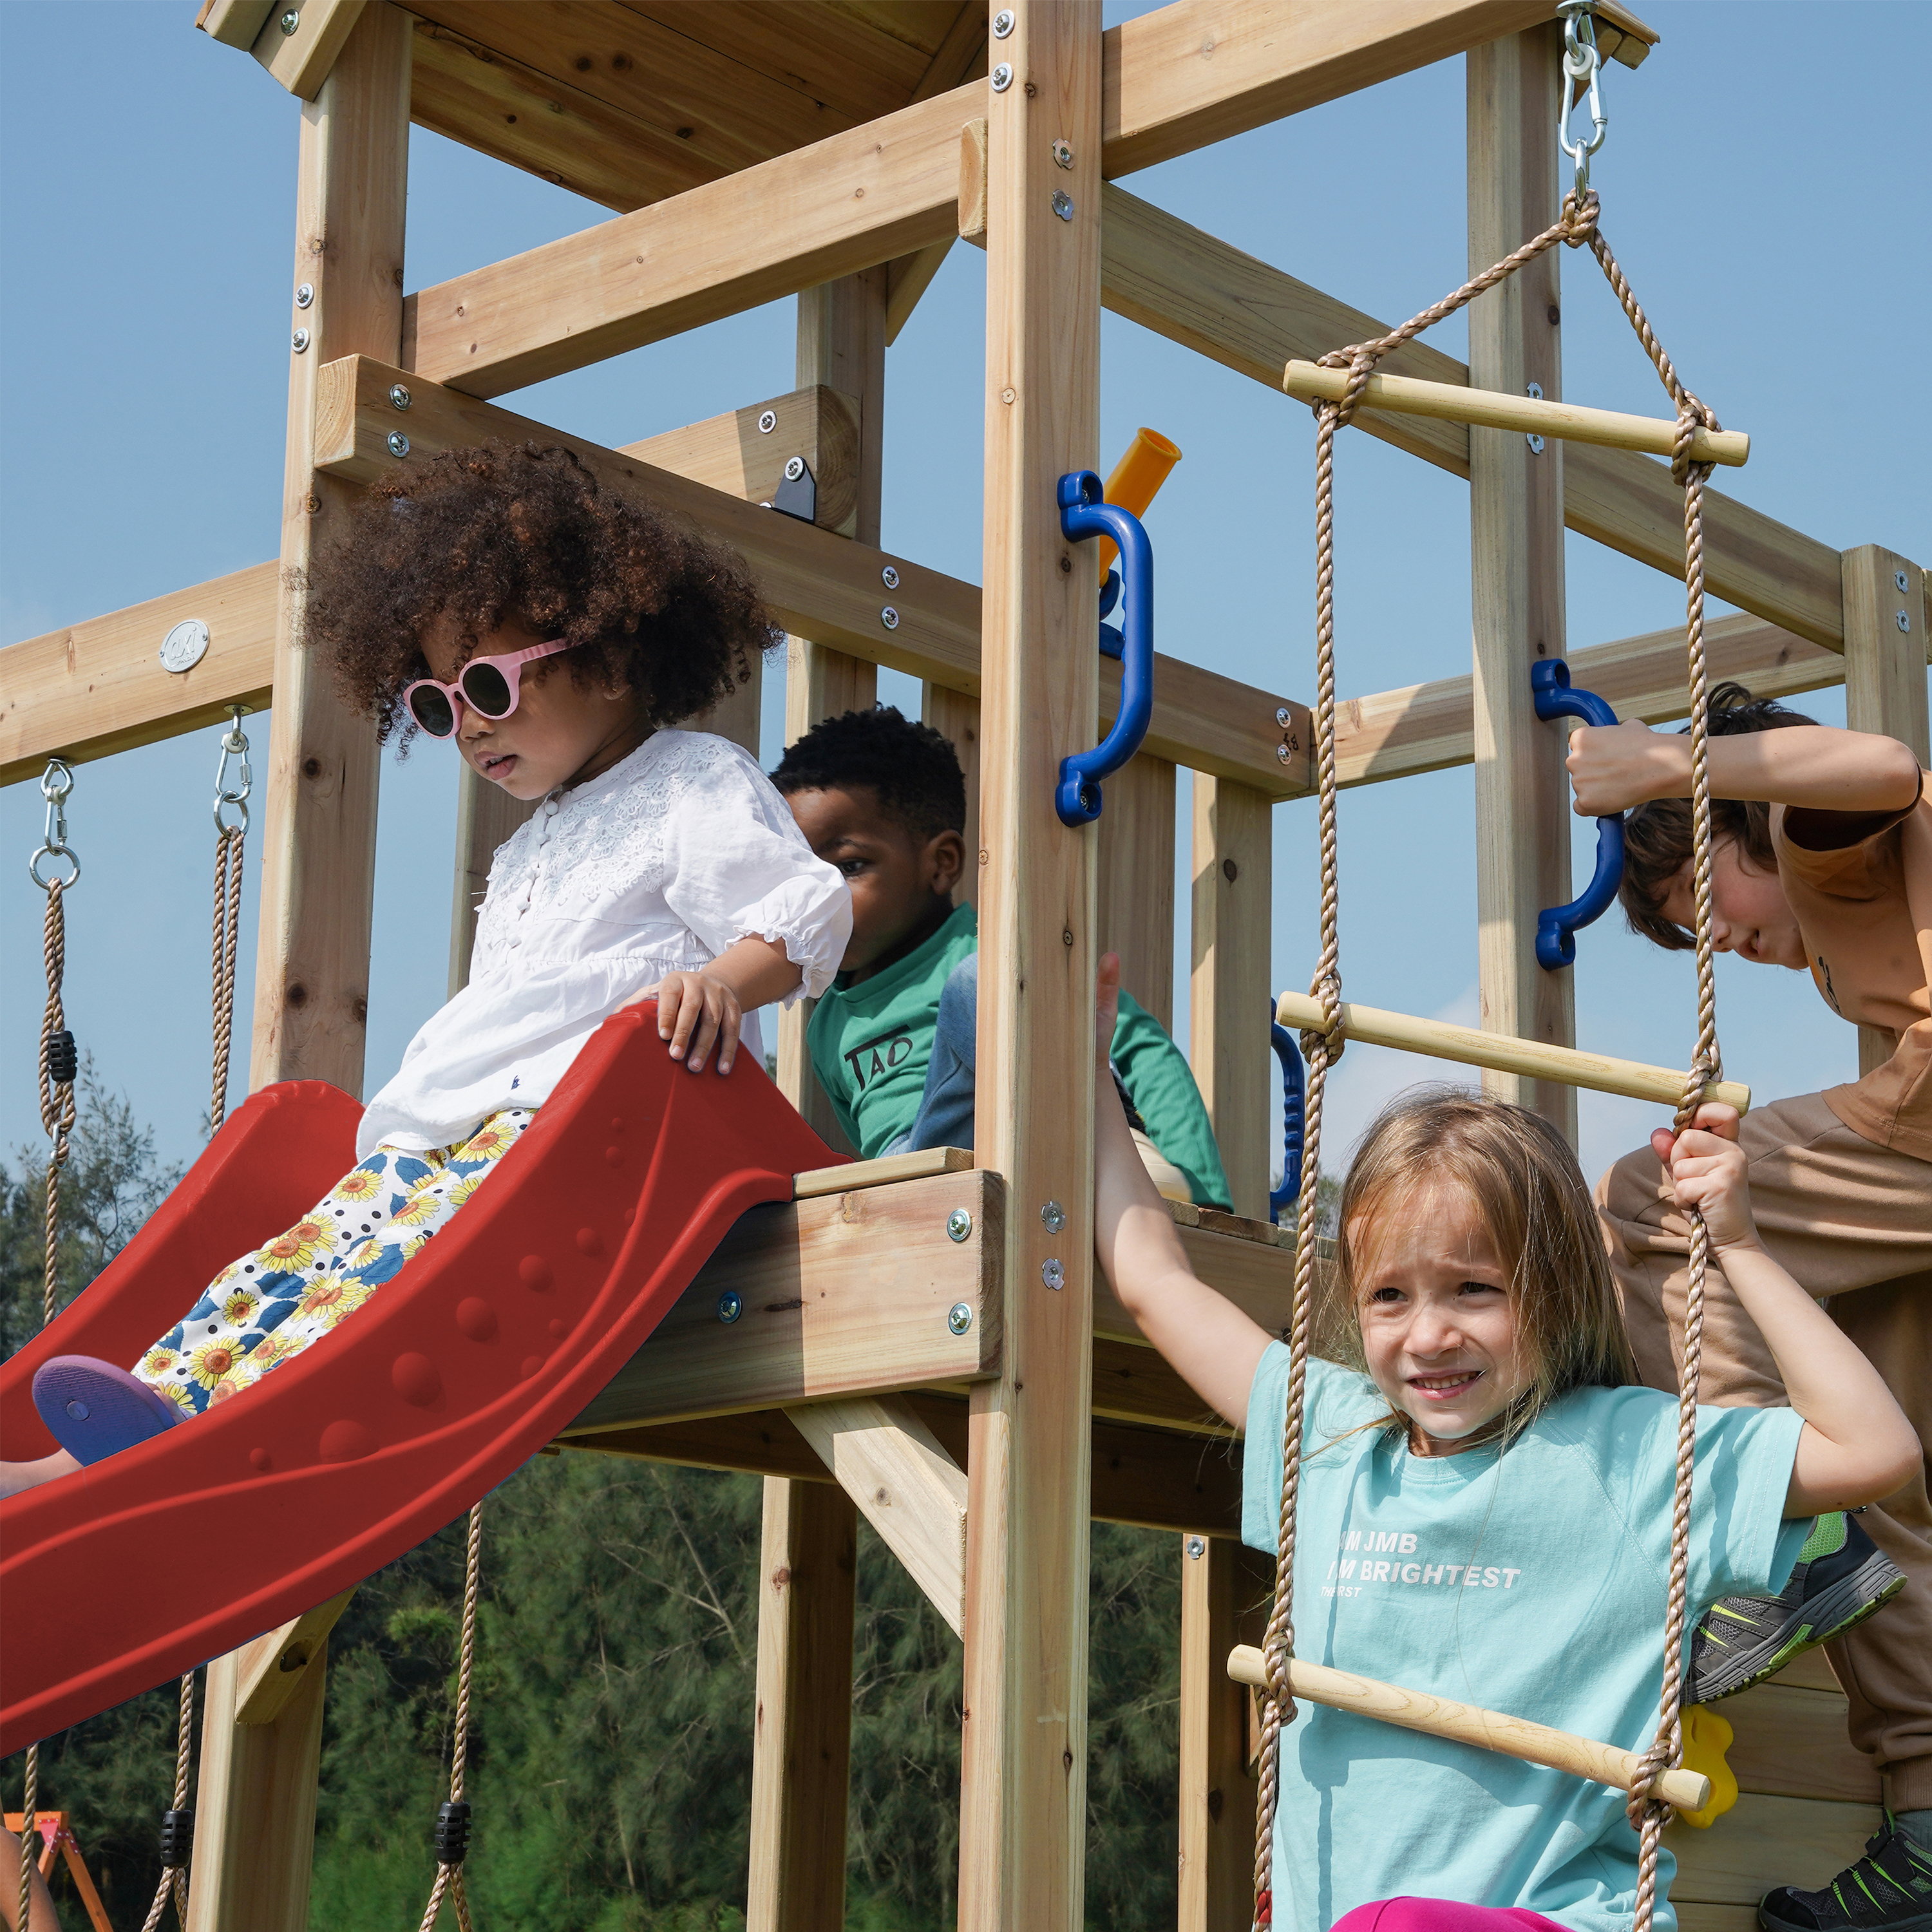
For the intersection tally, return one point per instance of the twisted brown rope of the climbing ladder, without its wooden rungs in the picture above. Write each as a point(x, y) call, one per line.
point(1577, 227)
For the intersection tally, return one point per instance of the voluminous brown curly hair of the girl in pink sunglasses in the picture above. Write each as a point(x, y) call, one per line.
point(525, 532)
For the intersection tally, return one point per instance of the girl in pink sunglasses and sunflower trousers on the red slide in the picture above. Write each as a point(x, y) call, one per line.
point(554, 637)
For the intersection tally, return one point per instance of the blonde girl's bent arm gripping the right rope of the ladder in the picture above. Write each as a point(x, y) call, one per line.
point(1856, 1446)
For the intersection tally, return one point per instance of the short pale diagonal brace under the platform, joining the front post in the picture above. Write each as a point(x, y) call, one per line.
point(905, 1485)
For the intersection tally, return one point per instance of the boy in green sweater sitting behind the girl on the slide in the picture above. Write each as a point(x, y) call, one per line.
point(894, 1038)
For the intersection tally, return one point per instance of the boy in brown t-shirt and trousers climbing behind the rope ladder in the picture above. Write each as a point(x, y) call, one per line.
point(1823, 861)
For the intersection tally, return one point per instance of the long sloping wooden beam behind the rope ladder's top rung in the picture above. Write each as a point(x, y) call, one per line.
point(1255, 320)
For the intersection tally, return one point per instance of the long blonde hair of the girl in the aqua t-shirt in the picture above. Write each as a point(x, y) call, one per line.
point(1535, 1207)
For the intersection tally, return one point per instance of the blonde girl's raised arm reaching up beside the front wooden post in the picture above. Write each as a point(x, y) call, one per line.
point(1203, 1334)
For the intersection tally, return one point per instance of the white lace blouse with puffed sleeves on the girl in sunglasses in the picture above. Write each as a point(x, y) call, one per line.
point(656, 867)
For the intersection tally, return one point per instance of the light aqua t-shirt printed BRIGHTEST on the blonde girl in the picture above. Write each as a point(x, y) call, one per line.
point(1531, 1583)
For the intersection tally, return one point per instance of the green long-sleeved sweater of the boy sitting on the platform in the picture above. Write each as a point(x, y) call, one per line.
point(872, 1042)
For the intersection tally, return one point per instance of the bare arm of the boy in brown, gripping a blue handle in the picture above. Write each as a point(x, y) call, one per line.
point(1620, 766)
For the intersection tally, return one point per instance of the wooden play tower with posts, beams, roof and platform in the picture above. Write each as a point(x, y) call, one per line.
point(923, 1338)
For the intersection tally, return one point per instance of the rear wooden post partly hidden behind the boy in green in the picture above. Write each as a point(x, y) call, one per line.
point(803, 1744)
